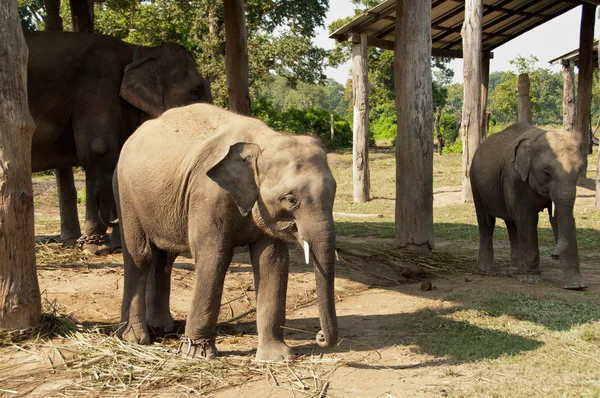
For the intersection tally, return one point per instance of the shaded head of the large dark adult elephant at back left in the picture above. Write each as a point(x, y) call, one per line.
point(163, 77)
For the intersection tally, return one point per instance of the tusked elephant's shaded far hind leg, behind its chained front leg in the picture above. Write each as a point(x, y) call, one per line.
point(158, 292)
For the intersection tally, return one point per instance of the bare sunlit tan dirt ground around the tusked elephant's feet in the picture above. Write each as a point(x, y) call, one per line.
point(376, 356)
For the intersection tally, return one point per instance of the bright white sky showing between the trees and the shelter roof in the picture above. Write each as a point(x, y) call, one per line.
point(546, 42)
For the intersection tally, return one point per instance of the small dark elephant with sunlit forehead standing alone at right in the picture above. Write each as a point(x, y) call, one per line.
point(517, 173)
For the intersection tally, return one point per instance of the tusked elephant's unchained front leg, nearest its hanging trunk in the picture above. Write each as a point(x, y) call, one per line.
point(270, 263)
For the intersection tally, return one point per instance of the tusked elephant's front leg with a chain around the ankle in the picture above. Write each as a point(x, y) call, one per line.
point(212, 261)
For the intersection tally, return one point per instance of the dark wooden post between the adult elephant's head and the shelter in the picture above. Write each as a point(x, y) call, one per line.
point(236, 56)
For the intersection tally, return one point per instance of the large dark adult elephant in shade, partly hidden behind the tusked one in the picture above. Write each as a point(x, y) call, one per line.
point(87, 94)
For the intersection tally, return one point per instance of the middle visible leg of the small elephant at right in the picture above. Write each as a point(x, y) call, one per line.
point(529, 251)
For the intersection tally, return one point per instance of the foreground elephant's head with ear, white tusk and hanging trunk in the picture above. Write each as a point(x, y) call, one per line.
point(286, 186)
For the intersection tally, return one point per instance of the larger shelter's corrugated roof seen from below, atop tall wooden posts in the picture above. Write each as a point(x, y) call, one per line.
point(503, 20)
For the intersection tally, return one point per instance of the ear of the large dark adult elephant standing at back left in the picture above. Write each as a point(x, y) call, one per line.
point(141, 87)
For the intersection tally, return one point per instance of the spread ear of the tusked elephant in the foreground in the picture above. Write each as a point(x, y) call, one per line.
point(237, 173)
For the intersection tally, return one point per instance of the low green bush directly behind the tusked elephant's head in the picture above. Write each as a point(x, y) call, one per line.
point(311, 121)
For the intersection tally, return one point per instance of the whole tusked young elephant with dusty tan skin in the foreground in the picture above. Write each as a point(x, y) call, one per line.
point(208, 180)
